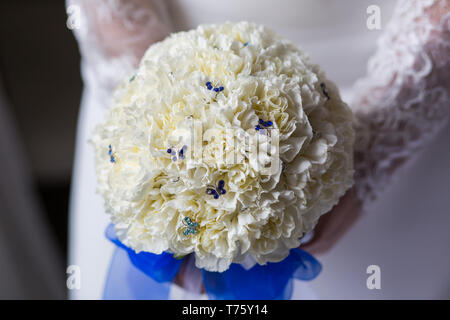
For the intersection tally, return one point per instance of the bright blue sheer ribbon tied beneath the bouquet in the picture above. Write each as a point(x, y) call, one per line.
point(145, 275)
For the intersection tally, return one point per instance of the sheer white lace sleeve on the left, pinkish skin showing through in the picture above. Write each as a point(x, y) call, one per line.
point(112, 36)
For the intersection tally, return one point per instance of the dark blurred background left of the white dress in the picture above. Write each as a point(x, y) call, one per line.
point(40, 89)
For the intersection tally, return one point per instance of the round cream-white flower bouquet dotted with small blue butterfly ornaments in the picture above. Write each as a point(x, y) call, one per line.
point(165, 194)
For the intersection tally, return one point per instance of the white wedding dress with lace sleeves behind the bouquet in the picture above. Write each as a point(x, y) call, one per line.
point(401, 104)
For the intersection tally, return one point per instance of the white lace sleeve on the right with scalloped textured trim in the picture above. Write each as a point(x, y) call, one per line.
point(404, 100)
